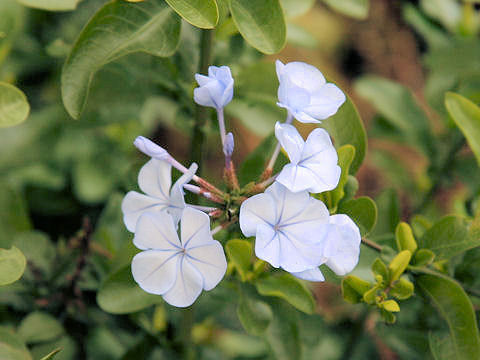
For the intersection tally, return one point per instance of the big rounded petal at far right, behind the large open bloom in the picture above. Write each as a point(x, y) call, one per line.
point(346, 241)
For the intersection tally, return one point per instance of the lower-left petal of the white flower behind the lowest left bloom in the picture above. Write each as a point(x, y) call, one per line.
point(135, 204)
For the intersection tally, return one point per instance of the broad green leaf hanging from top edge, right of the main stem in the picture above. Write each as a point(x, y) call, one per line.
point(261, 23)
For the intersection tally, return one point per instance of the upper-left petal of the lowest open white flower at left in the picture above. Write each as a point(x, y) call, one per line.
point(156, 231)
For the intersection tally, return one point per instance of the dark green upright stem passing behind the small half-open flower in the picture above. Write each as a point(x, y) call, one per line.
point(196, 149)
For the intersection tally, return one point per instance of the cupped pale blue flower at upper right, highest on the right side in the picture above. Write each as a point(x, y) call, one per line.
point(304, 92)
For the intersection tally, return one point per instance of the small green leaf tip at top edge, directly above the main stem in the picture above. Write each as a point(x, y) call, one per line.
point(199, 13)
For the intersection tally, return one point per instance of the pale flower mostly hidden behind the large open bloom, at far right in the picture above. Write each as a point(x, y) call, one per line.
point(341, 248)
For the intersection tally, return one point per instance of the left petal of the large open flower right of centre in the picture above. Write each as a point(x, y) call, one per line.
point(258, 209)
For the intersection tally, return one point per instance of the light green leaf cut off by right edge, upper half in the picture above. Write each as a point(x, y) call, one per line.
point(466, 115)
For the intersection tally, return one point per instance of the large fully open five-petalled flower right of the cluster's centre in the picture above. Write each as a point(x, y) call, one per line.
point(286, 226)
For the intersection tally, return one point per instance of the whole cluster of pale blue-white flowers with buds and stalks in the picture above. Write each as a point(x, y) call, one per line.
point(293, 230)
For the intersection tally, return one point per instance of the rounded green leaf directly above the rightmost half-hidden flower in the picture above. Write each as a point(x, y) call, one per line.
point(363, 212)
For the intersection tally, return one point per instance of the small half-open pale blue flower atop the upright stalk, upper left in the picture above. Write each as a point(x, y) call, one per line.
point(216, 89)
